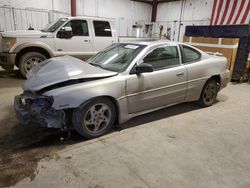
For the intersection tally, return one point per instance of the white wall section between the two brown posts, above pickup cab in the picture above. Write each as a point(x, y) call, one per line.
point(125, 12)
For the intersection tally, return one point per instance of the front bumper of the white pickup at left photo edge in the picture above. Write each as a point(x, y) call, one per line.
point(7, 61)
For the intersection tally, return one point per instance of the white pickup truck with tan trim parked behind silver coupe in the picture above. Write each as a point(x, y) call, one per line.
point(80, 37)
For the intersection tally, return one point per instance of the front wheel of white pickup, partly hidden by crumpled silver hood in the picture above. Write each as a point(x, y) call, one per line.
point(28, 60)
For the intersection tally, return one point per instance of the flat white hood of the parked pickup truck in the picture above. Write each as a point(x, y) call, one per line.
point(26, 34)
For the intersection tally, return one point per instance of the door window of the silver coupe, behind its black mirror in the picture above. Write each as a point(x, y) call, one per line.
point(163, 57)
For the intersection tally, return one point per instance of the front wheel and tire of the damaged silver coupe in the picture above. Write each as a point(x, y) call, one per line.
point(86, 118)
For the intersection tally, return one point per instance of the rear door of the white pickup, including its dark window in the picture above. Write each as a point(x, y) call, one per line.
point(103, 35)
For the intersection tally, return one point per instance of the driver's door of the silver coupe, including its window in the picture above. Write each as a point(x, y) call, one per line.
point(166, 85)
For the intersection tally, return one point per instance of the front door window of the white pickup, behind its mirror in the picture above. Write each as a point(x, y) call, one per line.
point(79, 27)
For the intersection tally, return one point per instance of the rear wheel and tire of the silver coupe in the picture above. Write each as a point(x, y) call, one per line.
point(209, 93)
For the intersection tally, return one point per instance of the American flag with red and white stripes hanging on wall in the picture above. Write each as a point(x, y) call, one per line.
point(230, 12)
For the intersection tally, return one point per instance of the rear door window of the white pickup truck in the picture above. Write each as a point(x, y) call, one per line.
point(102, 29)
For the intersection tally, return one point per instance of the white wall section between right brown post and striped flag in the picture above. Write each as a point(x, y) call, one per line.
point(195, 12)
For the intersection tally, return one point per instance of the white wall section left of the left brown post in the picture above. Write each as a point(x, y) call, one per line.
point(20, 14)
